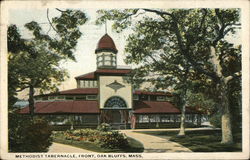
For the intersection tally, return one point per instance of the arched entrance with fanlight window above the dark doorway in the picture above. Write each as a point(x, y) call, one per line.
point(115, 112)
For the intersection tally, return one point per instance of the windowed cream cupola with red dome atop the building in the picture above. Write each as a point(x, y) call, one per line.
point(106, 53)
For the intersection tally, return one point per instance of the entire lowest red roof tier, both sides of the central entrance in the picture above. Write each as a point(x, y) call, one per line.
point(91, 107)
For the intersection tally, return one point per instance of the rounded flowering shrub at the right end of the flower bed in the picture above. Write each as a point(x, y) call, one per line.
point(113, 139)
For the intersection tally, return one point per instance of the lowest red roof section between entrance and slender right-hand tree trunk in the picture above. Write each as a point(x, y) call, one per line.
point(154, 107)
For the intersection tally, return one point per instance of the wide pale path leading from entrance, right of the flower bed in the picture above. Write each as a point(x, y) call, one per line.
point(156, 144)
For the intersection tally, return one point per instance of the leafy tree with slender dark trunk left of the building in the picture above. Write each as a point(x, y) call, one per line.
point(35, 62)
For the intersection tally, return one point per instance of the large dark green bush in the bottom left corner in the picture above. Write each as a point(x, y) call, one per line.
point(28, 135)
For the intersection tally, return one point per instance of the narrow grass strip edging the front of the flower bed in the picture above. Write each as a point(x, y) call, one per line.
point(134, 145)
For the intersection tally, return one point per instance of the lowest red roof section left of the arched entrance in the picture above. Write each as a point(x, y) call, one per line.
point(90, 107)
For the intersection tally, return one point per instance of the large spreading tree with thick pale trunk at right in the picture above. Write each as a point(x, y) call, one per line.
point(196, 35)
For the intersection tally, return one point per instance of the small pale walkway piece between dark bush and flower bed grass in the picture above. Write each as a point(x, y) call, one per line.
point(62, 148)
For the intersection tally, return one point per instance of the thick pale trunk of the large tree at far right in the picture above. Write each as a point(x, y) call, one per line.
point(227, 136)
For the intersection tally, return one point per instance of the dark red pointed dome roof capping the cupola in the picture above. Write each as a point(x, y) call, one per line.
point(106, 43)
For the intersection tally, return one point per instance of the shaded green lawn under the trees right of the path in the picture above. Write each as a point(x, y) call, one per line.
point(202, 140)
